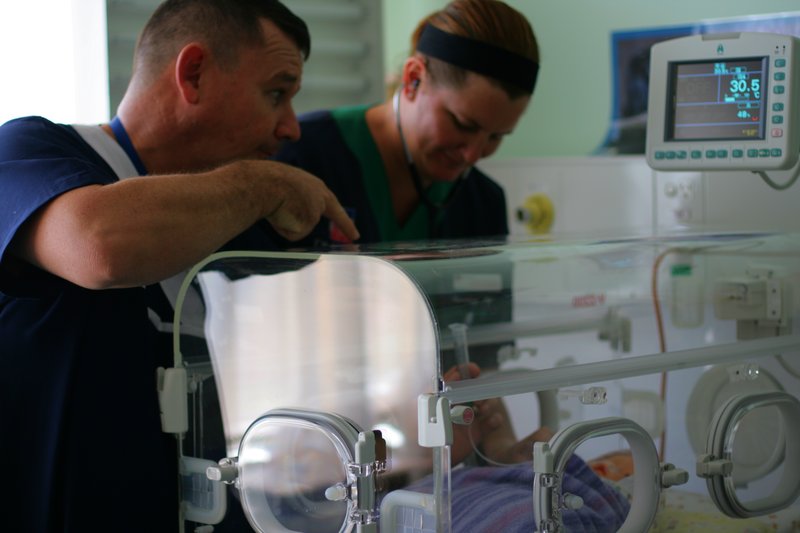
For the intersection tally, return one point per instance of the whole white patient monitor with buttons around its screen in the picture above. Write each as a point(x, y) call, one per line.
point(724, 102)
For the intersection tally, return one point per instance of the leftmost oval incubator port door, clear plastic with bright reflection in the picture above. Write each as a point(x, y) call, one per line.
point(300, 470)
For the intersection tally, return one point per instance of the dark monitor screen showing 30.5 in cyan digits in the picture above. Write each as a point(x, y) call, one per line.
point(717, 99)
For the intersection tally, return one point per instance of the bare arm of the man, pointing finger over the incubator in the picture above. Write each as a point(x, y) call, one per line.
point(142, 230)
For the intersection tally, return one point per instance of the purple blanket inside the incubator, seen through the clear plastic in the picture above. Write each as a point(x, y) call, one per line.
point(500, 499)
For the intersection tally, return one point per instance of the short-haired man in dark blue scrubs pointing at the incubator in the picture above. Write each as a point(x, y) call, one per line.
point(92, 218)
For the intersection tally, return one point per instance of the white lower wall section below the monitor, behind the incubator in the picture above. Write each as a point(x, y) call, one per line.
point(621, 196)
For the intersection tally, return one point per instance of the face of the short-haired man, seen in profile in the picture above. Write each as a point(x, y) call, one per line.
point(247, 112)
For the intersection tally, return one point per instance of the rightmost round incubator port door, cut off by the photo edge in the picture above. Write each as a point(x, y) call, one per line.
point(718, 465)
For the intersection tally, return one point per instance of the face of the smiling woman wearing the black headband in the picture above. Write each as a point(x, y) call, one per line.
point(450, 129)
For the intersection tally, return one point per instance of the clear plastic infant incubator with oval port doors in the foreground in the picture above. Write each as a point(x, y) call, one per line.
point(328, 390)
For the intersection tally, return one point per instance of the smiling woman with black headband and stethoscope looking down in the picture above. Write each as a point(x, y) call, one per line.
point(404, 168)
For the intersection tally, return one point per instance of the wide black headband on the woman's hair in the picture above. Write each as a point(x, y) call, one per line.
point(478, 56)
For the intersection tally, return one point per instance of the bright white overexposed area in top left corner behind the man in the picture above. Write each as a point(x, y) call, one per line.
point(53, 60)
